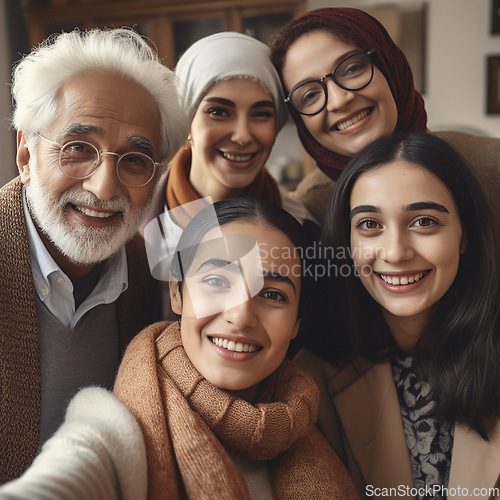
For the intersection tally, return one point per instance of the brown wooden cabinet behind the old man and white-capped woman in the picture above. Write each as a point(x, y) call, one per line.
point(172, 25)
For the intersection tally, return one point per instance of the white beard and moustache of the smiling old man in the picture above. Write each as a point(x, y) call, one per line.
point(79, 243)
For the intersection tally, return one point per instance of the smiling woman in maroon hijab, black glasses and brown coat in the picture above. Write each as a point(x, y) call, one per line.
point(347, 84)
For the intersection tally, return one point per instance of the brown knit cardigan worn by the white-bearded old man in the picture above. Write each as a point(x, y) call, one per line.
point(20, 379)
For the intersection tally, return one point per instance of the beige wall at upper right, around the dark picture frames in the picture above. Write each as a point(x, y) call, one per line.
point(458, 42)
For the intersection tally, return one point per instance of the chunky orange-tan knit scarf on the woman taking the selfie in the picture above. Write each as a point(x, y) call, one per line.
point(185, 419)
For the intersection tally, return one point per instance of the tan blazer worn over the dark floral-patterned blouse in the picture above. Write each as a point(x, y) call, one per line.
point(360, 416)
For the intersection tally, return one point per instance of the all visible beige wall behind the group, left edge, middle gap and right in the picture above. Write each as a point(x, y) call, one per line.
point(458, 42)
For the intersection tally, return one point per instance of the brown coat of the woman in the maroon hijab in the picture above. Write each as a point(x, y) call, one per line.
point(482, 154)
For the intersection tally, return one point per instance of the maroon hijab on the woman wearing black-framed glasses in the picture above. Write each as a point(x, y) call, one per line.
point(369, 34)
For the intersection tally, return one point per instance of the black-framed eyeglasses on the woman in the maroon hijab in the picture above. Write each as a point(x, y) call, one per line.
point(353, 73)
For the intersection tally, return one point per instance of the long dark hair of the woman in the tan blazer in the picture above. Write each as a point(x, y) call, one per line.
point(459, 350)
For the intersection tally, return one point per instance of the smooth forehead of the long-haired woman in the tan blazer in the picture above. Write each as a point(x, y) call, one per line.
point(397, 184)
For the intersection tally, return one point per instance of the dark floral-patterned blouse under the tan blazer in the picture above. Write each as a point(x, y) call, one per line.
point(429, 441)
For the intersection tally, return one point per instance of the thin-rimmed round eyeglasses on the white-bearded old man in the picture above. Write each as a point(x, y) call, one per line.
point(80, 159)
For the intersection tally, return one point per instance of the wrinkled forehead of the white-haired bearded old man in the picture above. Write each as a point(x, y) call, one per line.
point(110, 102)
